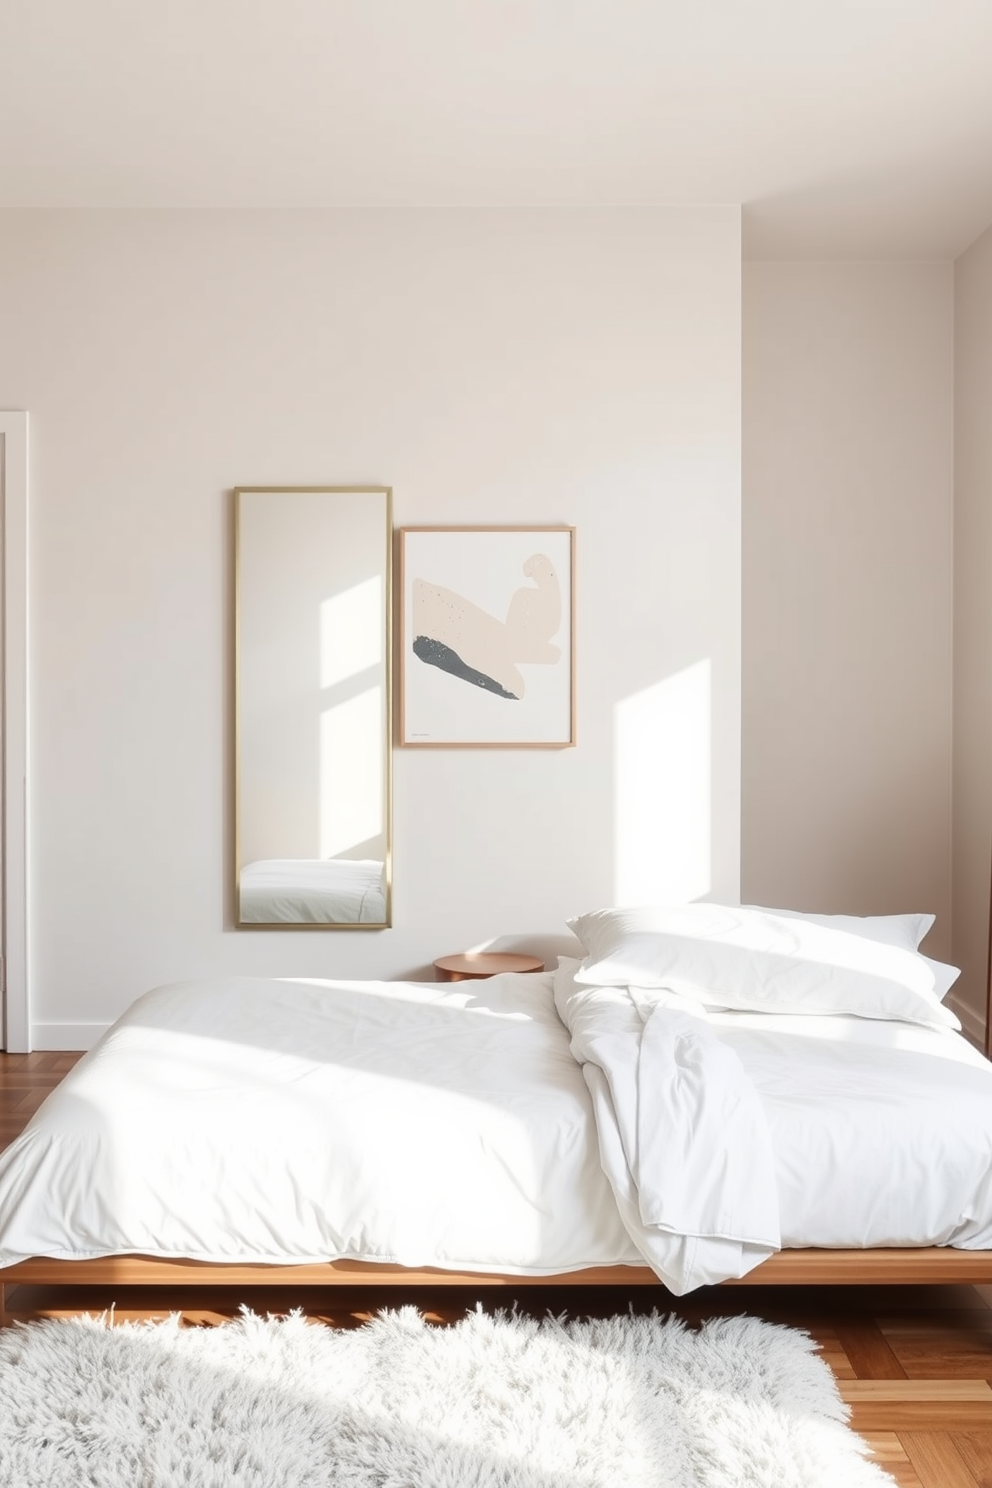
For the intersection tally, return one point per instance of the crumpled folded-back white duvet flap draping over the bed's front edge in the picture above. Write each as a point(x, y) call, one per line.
point(683, 1133)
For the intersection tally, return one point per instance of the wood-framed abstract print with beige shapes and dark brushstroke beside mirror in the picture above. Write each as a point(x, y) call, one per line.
point(487, 638)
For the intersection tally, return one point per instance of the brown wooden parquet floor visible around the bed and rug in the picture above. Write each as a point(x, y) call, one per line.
point(914, 1364)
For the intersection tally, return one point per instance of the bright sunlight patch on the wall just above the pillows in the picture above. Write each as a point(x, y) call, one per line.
point(664, 792)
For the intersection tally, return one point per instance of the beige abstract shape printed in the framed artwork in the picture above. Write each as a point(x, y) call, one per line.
point(490, 650)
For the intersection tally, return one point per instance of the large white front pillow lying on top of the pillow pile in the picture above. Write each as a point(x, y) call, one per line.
point(752, 959)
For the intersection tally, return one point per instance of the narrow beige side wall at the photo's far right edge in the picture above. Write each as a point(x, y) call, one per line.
point(973, 620)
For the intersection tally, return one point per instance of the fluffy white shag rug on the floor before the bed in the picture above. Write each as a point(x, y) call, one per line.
point(490, 1402)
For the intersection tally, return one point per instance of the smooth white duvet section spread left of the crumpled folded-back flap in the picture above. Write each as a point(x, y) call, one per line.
point(292, 1121)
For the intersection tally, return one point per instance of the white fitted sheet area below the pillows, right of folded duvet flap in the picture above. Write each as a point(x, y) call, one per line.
point(883, 1132)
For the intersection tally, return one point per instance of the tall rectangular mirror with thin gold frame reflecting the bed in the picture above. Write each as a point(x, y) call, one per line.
point(313, 715)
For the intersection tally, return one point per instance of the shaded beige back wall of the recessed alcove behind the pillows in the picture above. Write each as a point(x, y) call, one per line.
point(847, 590)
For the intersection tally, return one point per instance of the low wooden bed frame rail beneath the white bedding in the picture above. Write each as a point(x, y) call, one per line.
point(883, 1267)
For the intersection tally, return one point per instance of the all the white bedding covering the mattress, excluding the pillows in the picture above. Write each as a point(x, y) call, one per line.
point(477, 1127)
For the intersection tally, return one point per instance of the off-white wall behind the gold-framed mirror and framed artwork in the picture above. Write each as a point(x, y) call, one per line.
point(493, 368)
